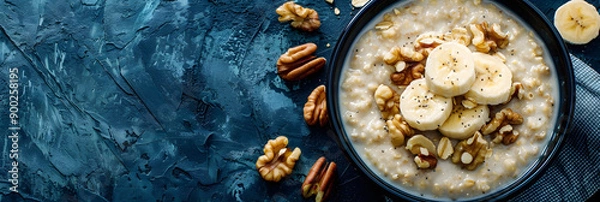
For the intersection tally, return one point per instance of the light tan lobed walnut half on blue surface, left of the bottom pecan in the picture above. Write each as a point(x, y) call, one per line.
point(278, 160)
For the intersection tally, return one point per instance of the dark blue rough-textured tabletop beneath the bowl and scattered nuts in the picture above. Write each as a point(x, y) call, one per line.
point(166, 100)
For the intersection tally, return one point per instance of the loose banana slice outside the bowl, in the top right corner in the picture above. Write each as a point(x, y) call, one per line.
point(577, 21)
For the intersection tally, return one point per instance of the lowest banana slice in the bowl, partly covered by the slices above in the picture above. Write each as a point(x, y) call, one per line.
point(463, 122)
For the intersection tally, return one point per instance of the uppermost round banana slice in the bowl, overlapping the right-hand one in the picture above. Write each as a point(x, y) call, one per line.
point(449, 69)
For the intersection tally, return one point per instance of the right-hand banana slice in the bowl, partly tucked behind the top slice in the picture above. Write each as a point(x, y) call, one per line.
point(493, 81)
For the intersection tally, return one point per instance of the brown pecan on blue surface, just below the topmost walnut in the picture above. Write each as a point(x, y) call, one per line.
point(298, 62)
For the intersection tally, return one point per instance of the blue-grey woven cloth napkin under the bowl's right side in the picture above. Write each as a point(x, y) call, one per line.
point(574, 175)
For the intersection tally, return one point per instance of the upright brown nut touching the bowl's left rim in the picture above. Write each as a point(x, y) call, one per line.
point(315, 109)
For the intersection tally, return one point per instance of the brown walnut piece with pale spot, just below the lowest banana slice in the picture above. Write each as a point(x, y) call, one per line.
point(471, 152)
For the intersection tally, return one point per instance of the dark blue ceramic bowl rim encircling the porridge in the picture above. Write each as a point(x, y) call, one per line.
point(529, 15)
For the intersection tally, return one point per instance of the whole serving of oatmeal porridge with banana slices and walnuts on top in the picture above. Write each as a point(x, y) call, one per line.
point(448, 98)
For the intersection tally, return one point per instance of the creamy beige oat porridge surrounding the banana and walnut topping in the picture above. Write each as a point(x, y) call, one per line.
point(365, 70)
